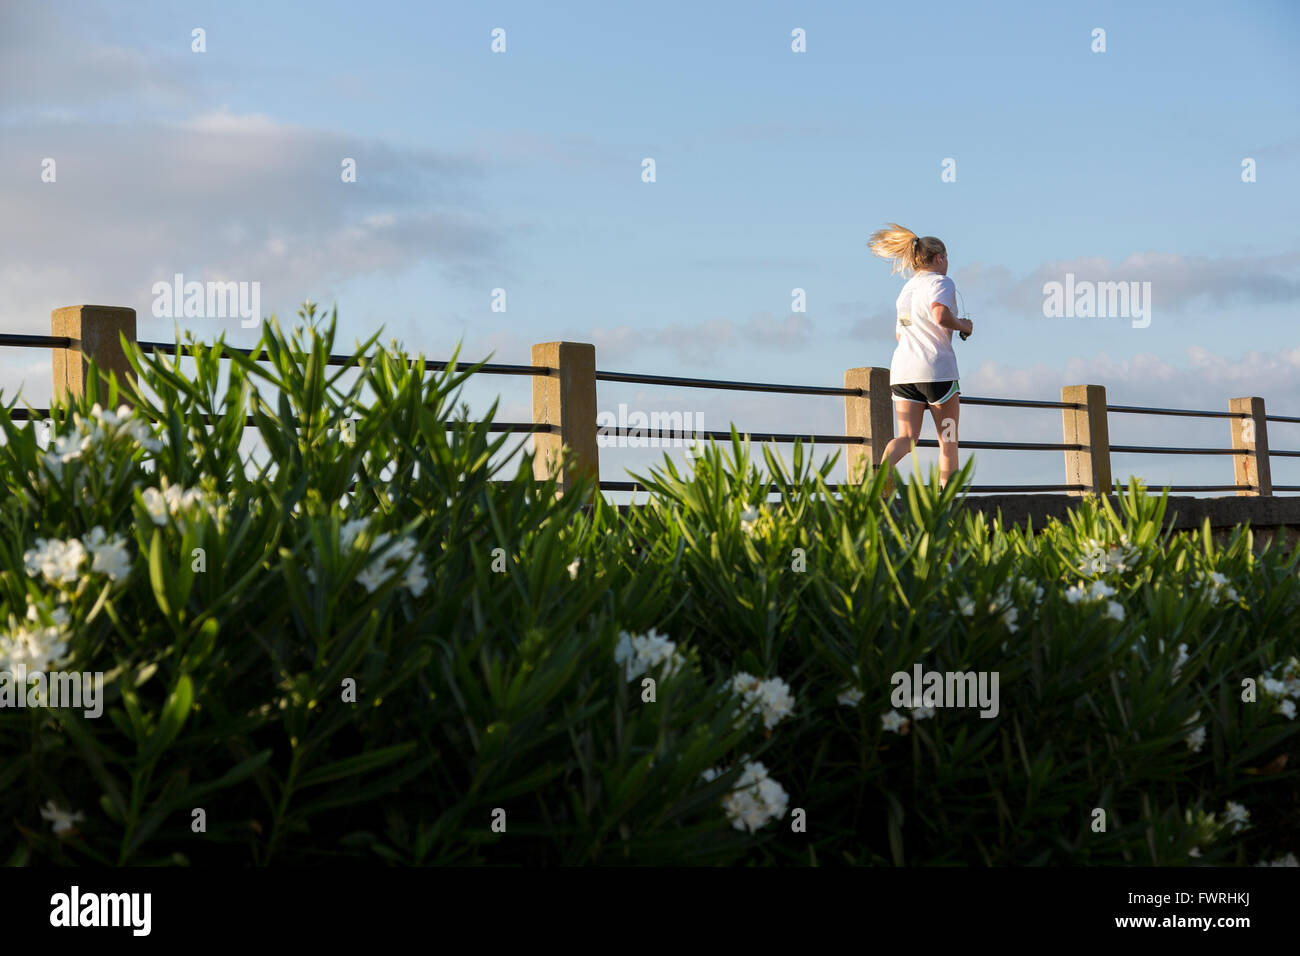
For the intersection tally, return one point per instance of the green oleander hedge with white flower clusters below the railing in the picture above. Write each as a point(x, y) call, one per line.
point(380, 641)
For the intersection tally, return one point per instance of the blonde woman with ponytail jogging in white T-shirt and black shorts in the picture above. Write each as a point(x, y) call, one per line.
point(924, 370)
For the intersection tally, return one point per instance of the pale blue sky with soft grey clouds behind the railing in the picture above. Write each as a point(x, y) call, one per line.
point(1002, 129)
